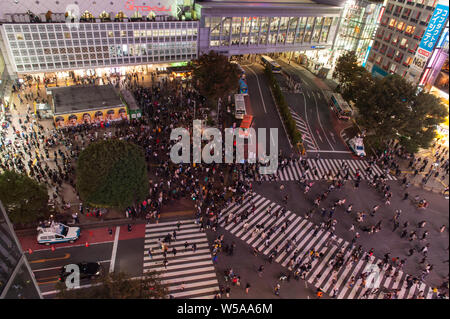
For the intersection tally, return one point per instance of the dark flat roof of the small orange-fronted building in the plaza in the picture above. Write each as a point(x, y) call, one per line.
point(73, 99)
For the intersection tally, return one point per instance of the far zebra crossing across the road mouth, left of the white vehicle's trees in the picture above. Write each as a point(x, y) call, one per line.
point(320, 169)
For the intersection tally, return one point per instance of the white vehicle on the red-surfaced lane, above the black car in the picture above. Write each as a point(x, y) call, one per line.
point(57, 233)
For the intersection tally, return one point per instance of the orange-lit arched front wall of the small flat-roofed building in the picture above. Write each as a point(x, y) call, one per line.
point(90, 117)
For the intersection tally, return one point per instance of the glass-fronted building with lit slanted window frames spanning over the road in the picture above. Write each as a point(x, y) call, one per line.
point(235, 28)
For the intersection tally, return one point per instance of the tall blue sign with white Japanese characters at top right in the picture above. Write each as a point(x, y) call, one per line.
point(431, 35)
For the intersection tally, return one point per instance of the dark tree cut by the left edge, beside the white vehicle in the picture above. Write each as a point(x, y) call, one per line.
point(25, 200)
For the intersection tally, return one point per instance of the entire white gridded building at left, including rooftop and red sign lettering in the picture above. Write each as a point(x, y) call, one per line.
point(68, 35)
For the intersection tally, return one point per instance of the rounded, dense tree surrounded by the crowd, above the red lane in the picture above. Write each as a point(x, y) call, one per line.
point(112, 173)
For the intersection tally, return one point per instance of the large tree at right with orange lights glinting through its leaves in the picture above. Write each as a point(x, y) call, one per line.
point(392, 109)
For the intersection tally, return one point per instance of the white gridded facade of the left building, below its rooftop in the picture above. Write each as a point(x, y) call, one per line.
point(47, 47)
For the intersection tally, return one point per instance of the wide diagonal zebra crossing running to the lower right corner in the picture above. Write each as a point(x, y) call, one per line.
point(344, 282)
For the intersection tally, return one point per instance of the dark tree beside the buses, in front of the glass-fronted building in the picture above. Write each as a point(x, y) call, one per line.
point(215, 77)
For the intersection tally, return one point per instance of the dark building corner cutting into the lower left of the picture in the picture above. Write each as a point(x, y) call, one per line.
point(16, 278)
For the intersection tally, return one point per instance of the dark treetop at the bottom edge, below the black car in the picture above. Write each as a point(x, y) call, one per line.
point(117, 285)
